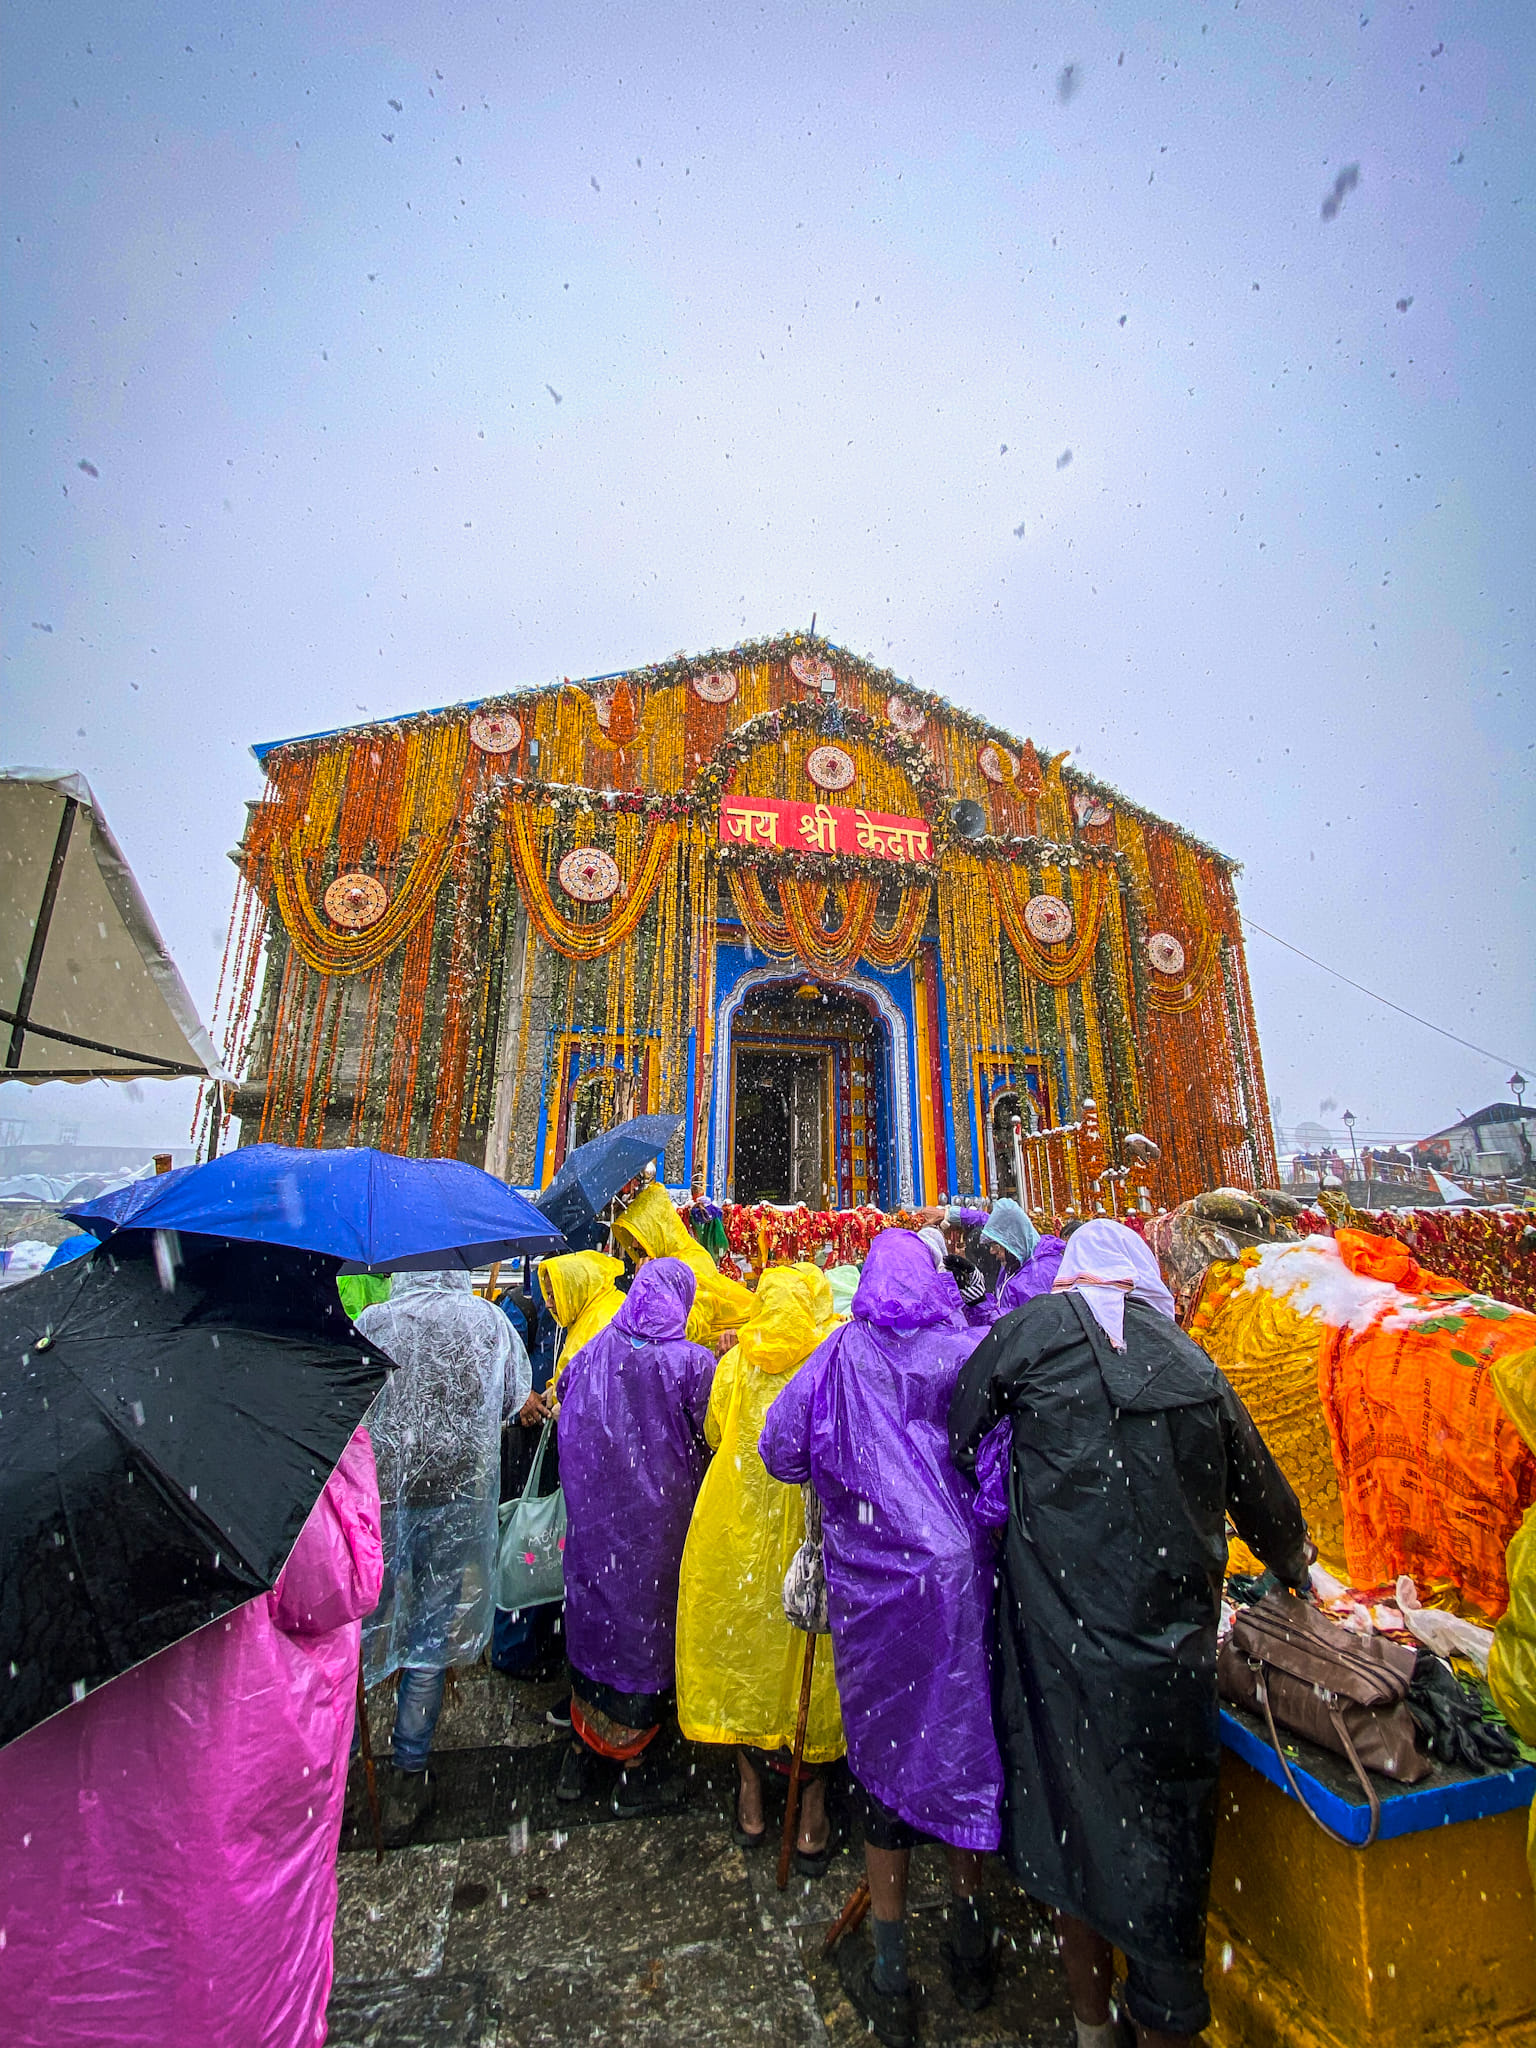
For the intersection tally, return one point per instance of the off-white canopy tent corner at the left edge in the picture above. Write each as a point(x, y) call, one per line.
point(87, 986)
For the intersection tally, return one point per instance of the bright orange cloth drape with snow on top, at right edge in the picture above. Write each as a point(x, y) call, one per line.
point(1435, 1476)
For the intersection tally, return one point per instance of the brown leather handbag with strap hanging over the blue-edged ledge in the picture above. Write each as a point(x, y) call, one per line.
point(1320, 1680)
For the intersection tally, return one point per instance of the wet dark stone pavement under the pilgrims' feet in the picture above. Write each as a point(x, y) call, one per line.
point(519, 1922)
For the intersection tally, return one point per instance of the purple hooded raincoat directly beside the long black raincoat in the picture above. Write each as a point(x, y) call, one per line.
point(910, 1570)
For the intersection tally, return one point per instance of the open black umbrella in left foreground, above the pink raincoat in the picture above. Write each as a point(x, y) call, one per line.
point(169, 1416)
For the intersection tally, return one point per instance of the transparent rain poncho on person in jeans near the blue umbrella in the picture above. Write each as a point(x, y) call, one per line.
point(437, 1435)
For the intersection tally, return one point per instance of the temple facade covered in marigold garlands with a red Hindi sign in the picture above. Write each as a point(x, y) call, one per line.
point(869, 947)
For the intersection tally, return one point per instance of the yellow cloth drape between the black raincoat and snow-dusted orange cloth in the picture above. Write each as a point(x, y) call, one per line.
point(1271, 1357)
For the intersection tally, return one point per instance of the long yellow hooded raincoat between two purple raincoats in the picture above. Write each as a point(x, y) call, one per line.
point(738, 1660)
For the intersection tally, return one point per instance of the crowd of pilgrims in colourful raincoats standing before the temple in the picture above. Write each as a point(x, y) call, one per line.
point(1021, 1471)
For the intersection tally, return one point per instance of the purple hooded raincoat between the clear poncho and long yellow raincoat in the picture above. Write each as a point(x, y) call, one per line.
point(632, 1453)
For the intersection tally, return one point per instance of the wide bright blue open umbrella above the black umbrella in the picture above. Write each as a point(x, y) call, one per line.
point(370, 1209)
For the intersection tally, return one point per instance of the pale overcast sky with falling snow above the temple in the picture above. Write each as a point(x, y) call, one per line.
point(425, 351)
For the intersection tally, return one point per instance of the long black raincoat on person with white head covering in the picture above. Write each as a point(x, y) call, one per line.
point(1125, 1467)
